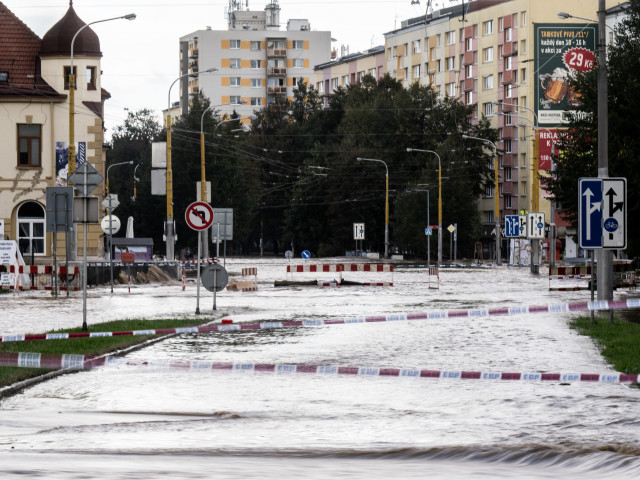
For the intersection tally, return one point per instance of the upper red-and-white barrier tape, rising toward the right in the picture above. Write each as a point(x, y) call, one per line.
point(599, 305)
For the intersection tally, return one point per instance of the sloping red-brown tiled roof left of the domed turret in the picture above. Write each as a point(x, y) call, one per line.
point(19, 61)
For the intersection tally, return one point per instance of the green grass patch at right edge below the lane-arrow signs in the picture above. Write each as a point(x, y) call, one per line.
point(619, 343)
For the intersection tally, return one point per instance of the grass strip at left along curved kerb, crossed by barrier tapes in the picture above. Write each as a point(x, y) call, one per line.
point(85, 346)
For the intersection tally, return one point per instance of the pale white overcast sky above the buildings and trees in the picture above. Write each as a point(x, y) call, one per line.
point(141, 57)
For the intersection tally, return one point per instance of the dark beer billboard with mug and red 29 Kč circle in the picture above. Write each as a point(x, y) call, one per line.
point(560, 51)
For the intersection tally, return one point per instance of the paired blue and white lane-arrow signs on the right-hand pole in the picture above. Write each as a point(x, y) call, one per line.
point(602, 213)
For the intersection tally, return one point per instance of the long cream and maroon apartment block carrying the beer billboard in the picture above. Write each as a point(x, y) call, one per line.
point(507, 59)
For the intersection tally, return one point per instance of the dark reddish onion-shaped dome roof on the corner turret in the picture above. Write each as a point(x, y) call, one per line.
point(57, 41)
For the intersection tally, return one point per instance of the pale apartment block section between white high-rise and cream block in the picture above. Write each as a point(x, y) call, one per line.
point(349, 69)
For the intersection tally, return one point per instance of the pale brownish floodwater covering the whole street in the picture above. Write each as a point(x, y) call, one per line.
point(139, 422)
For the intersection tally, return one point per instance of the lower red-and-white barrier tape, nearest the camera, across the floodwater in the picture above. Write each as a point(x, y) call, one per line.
point(38, 360)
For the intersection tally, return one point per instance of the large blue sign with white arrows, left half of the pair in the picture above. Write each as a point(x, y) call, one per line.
point(590, 213)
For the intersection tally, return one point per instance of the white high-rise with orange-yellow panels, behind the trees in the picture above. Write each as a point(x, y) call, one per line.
point(256, 61)
